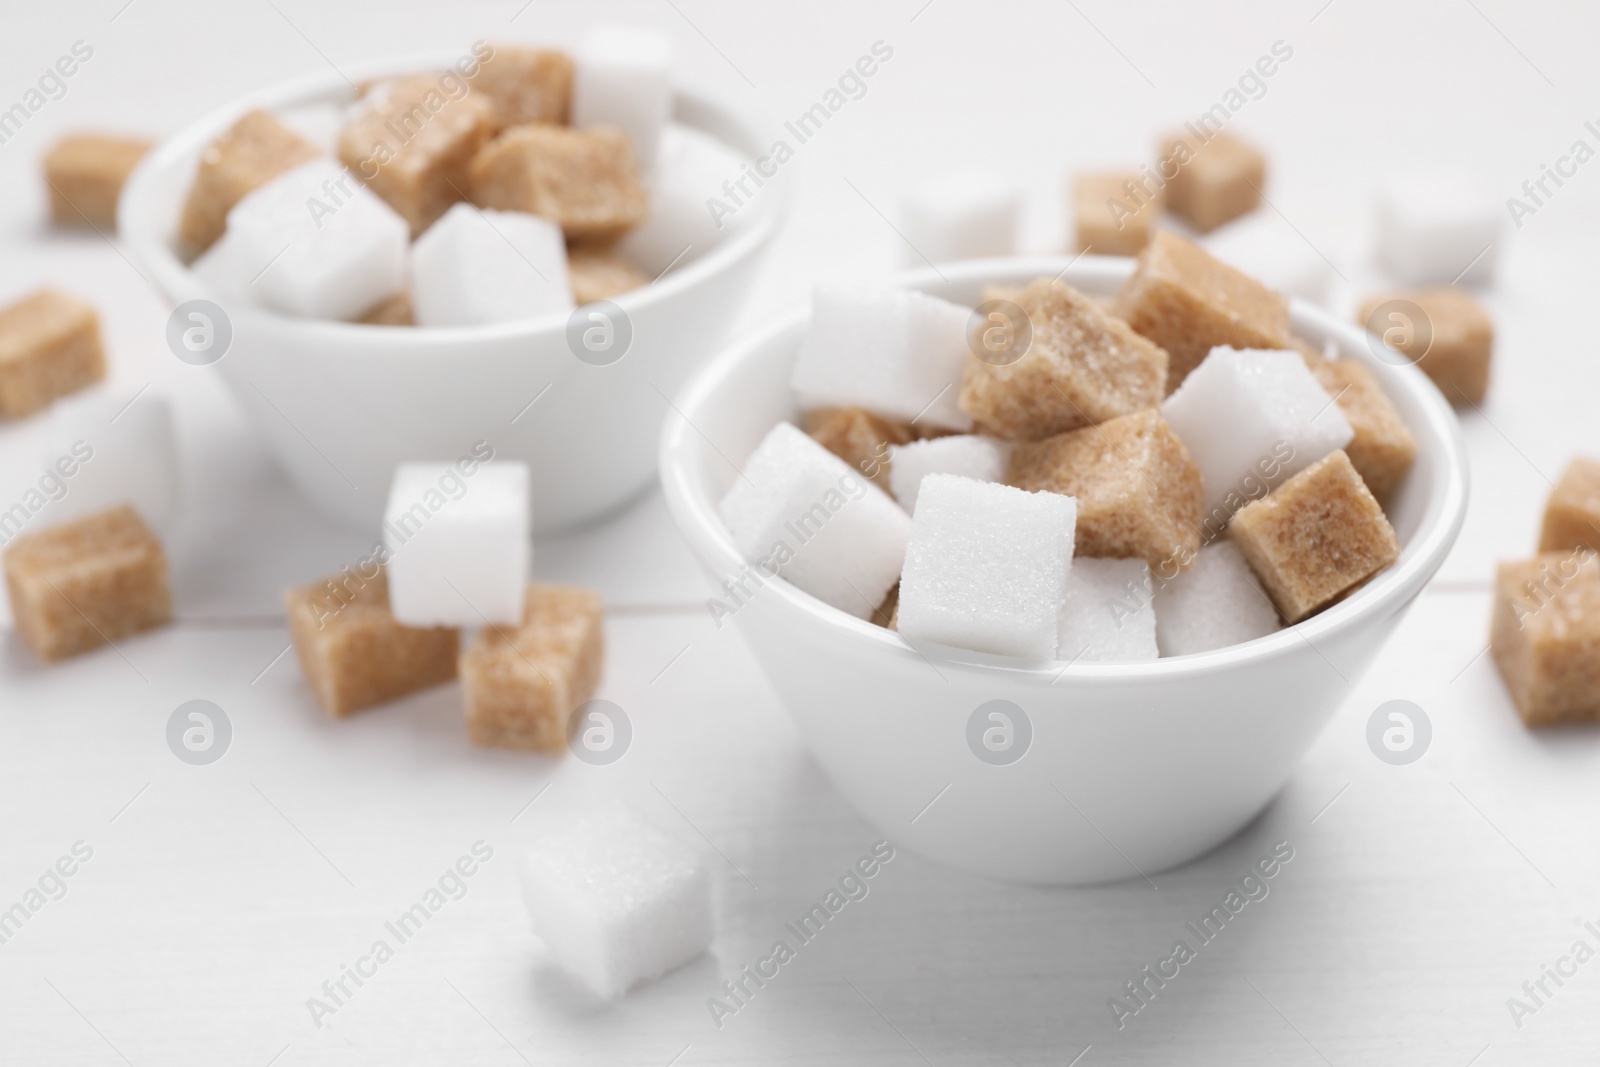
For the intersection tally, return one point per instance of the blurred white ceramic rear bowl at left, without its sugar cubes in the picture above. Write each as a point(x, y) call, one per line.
point(343, 404)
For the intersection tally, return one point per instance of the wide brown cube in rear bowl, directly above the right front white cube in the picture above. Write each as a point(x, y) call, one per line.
point(585, 182)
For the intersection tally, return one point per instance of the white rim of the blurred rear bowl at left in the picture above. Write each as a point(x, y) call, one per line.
point(143, 234)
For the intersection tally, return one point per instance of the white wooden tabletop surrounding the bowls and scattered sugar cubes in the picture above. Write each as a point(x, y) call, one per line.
point(220, 898)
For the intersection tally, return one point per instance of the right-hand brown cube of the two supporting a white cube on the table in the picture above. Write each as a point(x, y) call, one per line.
point(524, 684)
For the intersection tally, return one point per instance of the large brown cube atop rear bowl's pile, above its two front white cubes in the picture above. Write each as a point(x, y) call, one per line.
point(414, 146)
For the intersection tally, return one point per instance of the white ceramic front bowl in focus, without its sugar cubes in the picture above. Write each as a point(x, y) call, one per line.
point(1132, 767)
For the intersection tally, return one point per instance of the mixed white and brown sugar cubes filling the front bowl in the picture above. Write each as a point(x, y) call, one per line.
point(1070, 500)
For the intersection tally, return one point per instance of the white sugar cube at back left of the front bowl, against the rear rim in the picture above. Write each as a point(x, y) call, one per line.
point(895, 353)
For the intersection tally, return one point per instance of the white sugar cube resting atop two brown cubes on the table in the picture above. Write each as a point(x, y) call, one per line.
point(458, 540)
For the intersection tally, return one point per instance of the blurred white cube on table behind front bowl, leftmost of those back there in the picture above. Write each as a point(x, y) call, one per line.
point(962, 215)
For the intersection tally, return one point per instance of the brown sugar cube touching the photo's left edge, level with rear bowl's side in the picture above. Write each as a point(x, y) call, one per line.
point(49, 346)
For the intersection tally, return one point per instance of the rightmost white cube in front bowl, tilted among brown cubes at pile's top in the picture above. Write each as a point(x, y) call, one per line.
point(1252, 418)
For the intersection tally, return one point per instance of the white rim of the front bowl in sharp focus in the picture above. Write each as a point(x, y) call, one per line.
point(1444, 514)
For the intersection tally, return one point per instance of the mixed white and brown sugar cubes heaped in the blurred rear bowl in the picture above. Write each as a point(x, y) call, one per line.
point(527, 178)
